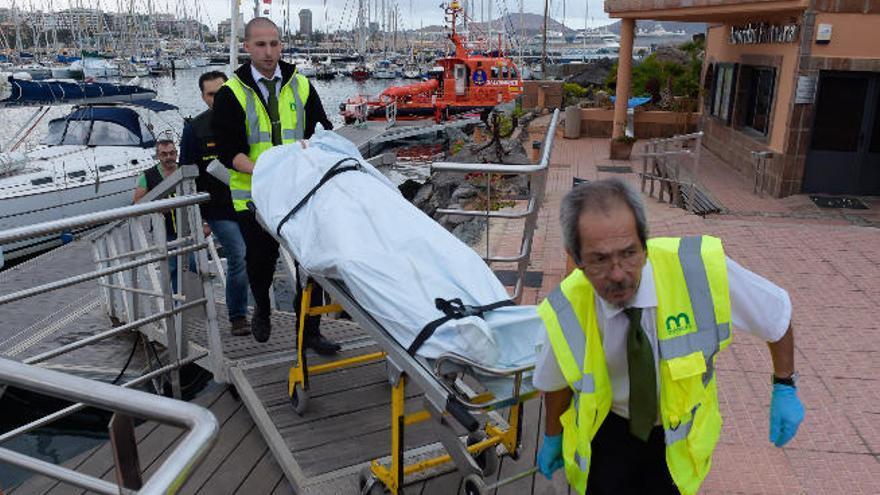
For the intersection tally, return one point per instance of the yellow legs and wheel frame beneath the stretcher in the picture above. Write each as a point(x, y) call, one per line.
point(392, 476)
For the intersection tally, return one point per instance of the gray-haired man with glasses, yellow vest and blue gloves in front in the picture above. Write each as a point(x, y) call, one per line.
point(628, 364)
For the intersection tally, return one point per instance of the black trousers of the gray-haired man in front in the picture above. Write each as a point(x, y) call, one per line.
point(623, 464)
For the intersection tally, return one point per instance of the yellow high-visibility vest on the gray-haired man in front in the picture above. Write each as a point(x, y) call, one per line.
point(693, 324)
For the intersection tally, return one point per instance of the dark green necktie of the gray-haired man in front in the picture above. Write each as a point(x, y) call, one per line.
point(642, 377)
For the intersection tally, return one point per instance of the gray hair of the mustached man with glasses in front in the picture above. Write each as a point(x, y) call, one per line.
point(599, 196)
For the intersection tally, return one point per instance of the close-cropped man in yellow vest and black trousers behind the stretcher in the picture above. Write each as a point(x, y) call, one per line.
point(266, 103)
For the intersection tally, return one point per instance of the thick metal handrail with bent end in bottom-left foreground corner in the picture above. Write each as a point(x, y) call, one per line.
point(200, 422)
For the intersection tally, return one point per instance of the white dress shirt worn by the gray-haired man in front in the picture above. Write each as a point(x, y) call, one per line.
point(757, 306)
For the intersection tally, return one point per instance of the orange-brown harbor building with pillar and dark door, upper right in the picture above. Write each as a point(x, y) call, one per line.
point(798, 80)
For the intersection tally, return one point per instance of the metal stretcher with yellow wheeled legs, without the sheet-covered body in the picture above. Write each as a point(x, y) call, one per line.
point(459, 394)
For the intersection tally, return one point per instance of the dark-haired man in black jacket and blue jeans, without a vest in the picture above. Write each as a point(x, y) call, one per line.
point(198, 147)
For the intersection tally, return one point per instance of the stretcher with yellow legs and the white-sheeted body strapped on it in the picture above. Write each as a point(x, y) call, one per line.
point(311, 199)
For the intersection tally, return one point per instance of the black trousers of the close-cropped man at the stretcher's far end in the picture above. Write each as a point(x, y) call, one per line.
point(261, 256)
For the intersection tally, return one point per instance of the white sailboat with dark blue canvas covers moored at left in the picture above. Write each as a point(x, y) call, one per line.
point(87, 161)
